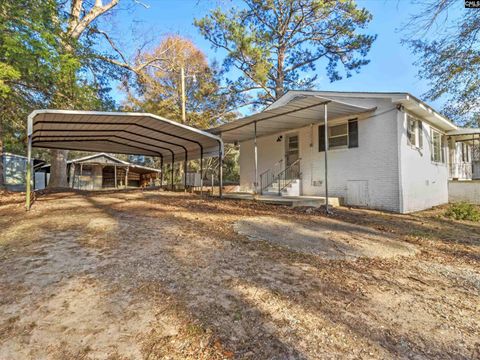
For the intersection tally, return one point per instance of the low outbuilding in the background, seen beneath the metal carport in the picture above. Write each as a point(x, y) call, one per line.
point(104, 171)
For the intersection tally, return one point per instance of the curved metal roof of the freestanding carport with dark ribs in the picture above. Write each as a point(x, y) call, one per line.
point(120, 133)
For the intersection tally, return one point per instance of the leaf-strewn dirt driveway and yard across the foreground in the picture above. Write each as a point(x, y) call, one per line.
point(150, 275)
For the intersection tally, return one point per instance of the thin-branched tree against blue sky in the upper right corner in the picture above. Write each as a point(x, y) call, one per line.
point(445, 38)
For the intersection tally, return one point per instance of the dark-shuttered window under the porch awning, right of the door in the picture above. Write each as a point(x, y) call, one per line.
point(339, 136)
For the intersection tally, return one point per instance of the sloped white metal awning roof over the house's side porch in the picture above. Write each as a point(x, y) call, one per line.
point(299, 112)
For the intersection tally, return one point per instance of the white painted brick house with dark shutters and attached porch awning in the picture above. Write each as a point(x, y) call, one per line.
point(387, 151)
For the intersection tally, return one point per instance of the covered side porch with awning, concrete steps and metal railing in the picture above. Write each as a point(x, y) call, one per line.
point(275, 141)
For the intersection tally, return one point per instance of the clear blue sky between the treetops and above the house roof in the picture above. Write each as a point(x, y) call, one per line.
point(391, 66)
